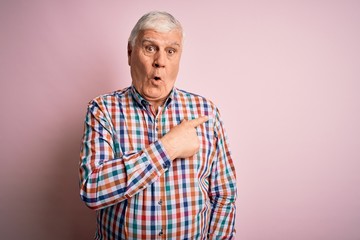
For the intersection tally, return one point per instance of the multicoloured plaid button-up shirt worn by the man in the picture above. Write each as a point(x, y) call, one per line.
point(138, 192)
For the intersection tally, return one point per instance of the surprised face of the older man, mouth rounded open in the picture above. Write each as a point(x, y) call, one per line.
point(154, 63)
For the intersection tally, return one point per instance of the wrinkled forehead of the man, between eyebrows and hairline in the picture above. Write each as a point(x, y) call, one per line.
point(173, 37)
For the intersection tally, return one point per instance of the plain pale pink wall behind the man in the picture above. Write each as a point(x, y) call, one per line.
point(285, 75)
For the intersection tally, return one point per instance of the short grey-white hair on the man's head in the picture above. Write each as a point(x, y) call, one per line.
point(155, 20)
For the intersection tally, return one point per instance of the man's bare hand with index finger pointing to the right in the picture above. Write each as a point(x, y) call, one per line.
point(182, 140)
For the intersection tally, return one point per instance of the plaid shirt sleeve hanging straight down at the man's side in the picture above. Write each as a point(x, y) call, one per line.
point(223, 190)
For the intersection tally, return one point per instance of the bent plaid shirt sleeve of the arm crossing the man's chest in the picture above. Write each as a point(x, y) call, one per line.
point(106, 179)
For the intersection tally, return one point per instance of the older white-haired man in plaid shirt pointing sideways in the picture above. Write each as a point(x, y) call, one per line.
point(155, 162)
